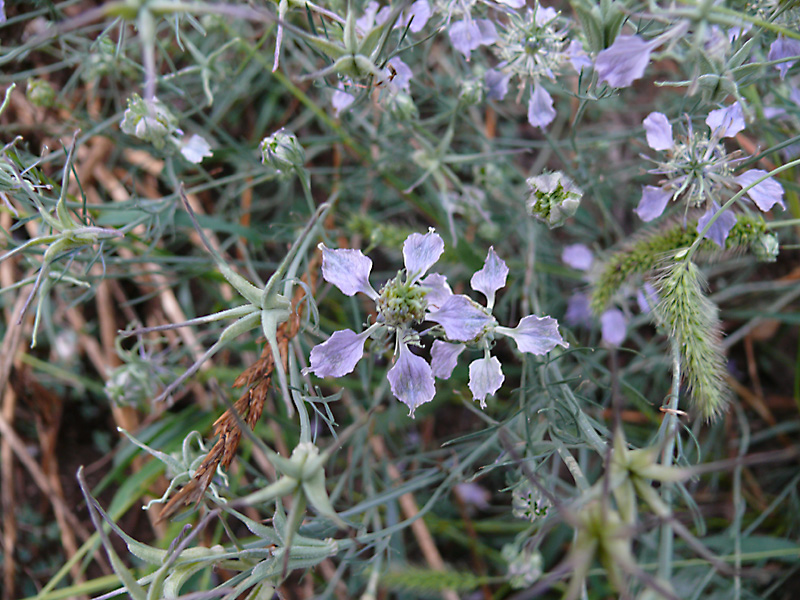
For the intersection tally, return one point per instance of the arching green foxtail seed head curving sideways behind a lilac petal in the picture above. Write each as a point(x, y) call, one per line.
point(647, 252)
